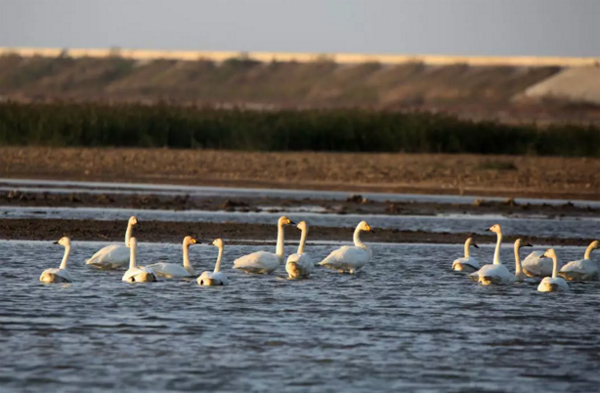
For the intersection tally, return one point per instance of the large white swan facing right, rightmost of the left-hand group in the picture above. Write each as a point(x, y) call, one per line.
point(350, 259)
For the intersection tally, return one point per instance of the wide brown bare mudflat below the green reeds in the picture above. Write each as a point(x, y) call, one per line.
point(461, 174)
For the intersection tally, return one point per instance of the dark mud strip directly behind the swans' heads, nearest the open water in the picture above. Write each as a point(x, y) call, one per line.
point(173, 232)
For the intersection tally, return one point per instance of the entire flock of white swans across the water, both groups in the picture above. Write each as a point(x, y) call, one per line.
point(537, 265)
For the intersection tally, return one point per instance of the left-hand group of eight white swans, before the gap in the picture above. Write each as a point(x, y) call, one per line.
point(347, 259)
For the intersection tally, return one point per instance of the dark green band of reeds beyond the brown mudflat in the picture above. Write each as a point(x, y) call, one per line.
point(177, 126)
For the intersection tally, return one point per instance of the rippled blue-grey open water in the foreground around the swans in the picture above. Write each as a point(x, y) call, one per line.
point(406, 323)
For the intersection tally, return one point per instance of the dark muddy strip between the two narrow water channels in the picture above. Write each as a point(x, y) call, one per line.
point(354, 204)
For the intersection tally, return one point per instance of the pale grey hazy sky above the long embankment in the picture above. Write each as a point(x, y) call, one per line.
point(453, 27)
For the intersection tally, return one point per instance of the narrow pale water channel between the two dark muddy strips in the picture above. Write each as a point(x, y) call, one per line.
point(565, 227)
